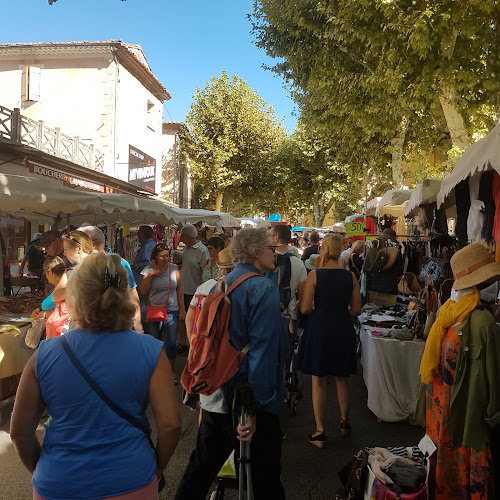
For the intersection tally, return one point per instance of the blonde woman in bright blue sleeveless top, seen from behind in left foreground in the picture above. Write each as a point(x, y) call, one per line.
point(89, 450)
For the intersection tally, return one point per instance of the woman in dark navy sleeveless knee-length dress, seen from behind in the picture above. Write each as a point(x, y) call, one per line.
point(328, 346)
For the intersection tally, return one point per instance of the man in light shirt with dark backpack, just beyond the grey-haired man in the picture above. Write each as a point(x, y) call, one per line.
point(281, 236)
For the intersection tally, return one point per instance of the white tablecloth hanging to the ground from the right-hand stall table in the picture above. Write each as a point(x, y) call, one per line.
point(390, 372)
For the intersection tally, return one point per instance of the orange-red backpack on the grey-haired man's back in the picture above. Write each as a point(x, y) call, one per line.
point(213, 360)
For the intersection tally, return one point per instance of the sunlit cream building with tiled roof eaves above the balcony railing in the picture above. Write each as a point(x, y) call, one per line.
point(103, 93)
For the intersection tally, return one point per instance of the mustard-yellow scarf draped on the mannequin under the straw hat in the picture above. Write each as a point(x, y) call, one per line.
point(449, 314)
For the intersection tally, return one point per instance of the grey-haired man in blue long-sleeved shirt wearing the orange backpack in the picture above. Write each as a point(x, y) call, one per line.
point(255, 321)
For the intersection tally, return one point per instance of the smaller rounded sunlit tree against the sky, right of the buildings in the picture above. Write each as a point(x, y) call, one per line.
point(234, 138)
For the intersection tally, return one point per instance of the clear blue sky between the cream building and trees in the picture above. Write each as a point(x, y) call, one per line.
point(186, 42)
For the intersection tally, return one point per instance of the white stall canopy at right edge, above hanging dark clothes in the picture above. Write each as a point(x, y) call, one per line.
point(478, 157)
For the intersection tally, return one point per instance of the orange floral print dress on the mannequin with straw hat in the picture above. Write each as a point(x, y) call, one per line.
point(455, 473)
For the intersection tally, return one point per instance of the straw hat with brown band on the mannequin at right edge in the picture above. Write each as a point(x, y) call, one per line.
point(473, 265)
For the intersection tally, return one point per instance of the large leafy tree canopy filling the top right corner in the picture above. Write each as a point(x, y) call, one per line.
point(379, 77)
